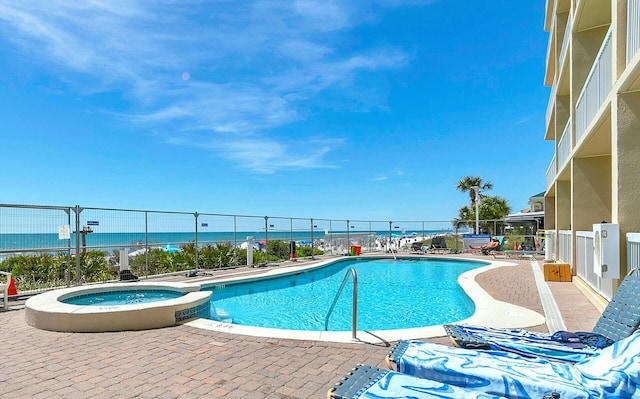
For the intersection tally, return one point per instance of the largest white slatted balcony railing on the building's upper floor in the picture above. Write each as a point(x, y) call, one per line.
point(596, 89)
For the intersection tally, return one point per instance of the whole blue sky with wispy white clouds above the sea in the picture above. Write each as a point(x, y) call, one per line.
point(368, 110)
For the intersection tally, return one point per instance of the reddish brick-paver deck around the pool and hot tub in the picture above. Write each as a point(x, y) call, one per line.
point(188, 362)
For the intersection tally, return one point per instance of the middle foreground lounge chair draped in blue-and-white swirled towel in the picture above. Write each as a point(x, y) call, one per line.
point(612, 373)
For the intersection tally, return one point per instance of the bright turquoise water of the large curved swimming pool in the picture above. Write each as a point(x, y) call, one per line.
point(400, 294)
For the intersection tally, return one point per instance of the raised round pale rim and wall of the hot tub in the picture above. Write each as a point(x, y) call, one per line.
point(46, 311)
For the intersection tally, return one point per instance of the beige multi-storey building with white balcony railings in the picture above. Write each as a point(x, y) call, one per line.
point(593, 118)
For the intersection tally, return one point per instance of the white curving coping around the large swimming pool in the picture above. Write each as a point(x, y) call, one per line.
point(489, 311)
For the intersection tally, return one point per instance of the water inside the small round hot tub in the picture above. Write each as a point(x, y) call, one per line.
point(117, 298)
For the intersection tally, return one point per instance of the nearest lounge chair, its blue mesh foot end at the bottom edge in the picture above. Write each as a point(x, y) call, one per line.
point(367, 382)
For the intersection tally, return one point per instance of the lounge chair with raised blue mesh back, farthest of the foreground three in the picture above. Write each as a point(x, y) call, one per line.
point(619, 320)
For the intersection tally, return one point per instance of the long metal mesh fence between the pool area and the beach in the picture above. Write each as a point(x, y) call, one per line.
point(56, 234)
